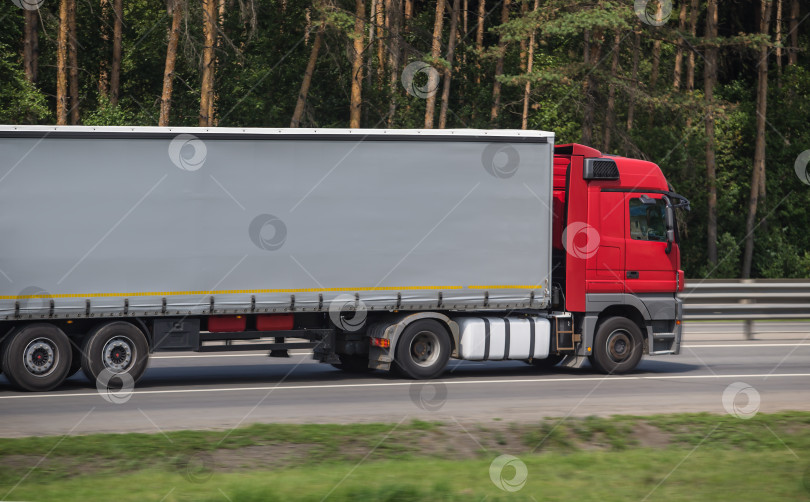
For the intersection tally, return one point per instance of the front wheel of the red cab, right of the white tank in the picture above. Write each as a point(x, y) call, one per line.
point(617, 347)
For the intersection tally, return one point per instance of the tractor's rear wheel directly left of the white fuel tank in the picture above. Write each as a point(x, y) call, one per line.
point(423, 349)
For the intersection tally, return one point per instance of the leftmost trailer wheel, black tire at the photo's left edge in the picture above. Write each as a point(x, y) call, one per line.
point(36, 357)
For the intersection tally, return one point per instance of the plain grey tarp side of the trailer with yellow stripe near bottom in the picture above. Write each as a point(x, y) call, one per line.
point(180, 222)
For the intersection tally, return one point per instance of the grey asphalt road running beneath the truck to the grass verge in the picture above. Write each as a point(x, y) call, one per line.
point(718, 371)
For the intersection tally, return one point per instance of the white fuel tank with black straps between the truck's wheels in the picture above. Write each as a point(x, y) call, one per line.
point(498, 338)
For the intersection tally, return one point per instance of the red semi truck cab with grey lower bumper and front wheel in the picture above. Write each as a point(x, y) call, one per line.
point(616, 254)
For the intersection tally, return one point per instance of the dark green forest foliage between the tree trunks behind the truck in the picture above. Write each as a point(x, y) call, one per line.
point(265, 46)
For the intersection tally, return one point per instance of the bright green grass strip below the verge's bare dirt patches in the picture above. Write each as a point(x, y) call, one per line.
point(605, 476)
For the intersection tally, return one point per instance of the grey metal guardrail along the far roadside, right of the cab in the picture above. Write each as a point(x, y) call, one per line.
point(747, 300)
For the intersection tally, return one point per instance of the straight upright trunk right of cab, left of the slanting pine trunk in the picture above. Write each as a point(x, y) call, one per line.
point(709, 80)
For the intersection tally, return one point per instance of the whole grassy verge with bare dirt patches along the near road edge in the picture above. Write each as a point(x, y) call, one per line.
point(661, 457)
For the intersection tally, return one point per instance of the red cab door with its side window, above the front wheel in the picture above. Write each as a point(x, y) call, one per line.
point(649, 268)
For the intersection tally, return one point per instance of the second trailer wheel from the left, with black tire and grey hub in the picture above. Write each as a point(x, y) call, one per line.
point(117, 346)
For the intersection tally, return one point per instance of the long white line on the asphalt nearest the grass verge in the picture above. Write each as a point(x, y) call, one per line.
point(428, 382)
